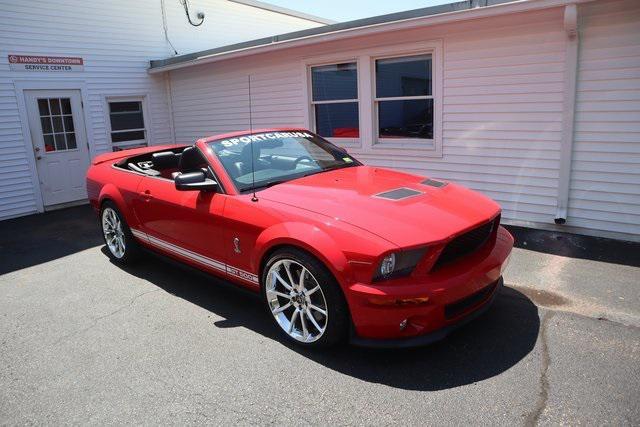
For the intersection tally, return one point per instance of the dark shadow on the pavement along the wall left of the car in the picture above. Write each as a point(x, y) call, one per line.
point(36, 239)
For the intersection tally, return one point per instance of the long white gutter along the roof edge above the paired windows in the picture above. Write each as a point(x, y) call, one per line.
point(477, 13)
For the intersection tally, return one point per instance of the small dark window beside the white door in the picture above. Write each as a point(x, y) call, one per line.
point(127, 124)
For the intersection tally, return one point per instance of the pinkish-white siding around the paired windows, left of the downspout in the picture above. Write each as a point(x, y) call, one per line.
point(502, 105)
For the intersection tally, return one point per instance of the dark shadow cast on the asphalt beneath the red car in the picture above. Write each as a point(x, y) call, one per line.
point(491, 344)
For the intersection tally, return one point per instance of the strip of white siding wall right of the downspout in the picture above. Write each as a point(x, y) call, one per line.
point(605, 184)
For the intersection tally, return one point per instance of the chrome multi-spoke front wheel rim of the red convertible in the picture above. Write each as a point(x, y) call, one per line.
point(296, 301)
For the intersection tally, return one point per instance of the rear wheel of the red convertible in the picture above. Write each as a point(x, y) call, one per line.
point(121, 246)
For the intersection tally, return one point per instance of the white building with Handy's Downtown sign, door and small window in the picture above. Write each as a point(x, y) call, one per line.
point(114, 40)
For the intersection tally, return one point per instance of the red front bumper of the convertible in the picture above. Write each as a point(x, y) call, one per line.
point(419, 310)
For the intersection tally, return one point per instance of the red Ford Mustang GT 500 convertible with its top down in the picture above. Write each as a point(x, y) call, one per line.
point(338, 250)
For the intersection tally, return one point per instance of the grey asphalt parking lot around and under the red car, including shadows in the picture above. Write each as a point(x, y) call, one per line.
point(85, 341)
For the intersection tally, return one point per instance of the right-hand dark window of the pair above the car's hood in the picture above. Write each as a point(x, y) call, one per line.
point(404, 97)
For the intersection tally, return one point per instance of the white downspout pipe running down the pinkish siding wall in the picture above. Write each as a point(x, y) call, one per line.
point(568, 110)
